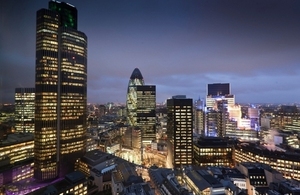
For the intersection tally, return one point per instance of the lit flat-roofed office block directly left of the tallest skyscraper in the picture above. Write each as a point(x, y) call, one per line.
point(24, 110)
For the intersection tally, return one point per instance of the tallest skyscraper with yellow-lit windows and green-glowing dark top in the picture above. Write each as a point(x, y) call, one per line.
point(61, 91)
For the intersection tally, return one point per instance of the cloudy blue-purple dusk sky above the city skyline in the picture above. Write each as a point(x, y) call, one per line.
point(179, 46)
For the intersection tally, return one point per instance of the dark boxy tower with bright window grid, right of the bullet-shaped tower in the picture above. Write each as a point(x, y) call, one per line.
point(180, 129)
